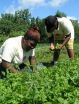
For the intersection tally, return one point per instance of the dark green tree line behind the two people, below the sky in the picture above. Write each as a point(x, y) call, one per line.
point(21, 20)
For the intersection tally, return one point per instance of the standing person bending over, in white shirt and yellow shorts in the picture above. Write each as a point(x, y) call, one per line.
point(63, 34)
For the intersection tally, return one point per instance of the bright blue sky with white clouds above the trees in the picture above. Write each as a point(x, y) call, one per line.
point(42, 8)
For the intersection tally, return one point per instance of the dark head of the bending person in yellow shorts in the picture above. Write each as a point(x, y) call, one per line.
point(51, 23)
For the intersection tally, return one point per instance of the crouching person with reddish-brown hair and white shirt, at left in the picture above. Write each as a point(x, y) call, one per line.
point(17, 50)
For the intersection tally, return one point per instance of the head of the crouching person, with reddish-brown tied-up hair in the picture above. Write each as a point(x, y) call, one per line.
point(31, 38)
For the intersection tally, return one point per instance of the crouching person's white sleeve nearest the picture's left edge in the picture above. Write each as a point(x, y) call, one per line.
point(8, 52)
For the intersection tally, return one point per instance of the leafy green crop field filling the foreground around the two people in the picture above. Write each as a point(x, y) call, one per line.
point(47, 85)
